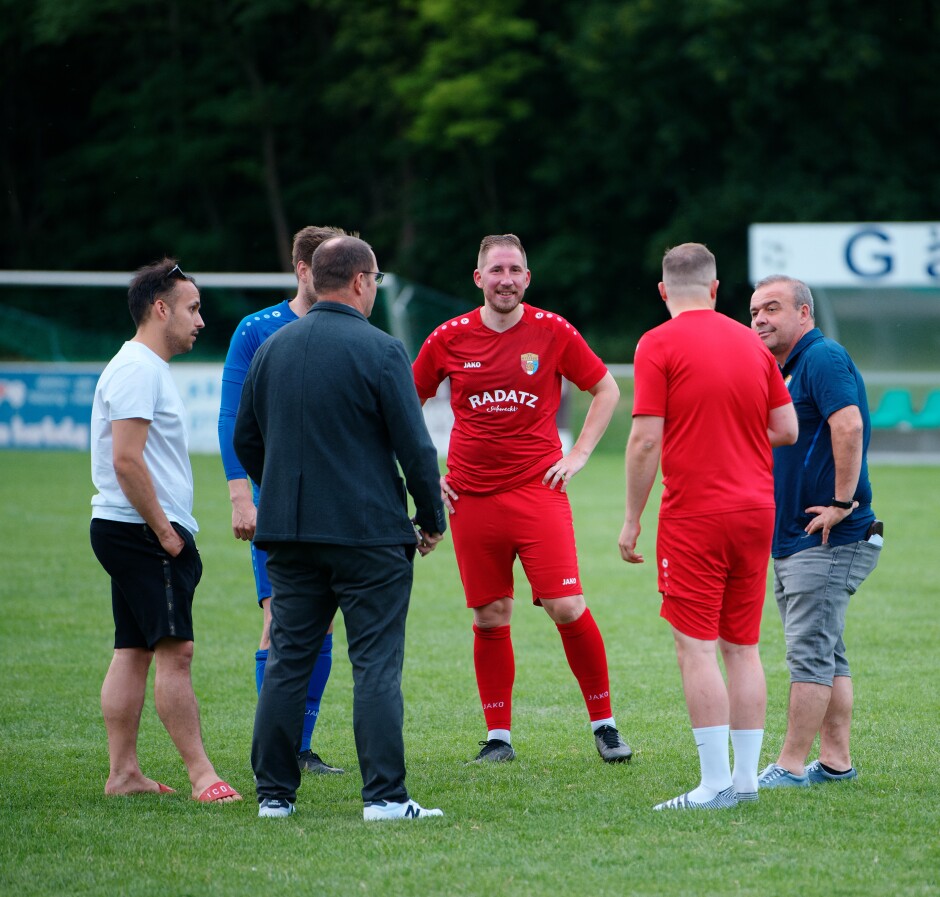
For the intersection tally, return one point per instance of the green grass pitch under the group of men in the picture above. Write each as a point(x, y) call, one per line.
point(557, 821)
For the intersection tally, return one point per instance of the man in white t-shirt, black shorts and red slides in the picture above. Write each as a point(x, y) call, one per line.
point(142, 532)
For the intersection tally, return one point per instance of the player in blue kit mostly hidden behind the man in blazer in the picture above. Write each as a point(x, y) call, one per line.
point(251, 332)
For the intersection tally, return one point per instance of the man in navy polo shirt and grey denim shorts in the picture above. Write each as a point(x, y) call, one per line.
point(826, 538)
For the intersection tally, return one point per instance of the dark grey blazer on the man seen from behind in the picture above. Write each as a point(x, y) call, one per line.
point(328, 406)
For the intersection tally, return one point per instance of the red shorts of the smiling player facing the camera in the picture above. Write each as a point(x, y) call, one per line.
point(532, 522)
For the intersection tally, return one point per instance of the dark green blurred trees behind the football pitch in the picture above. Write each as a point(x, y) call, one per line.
point(600, 132)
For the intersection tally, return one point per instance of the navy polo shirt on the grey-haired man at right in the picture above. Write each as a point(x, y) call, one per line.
point(822, 379)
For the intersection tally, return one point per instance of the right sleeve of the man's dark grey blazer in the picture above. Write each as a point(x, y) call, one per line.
point(410, 439)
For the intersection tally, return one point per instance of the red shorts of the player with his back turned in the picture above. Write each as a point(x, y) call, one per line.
point(713, 573)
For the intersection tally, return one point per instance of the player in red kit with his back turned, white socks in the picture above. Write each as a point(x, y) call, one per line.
point(710, 402)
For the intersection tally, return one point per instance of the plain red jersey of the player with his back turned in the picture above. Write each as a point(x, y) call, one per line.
point(715, 383)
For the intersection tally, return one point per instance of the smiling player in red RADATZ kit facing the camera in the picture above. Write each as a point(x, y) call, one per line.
point(507, 478)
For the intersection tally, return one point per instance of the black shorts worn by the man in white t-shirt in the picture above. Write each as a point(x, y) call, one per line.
point(151, 592)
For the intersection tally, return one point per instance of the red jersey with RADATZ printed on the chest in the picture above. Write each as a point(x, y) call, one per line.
point(505, 389)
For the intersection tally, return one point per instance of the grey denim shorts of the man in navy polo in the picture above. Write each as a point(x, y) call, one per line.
point(812, 588)
